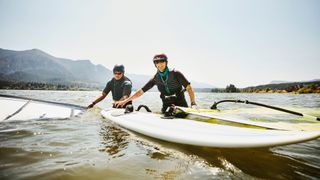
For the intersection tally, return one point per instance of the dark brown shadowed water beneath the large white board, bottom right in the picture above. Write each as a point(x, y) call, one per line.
point(261, 163)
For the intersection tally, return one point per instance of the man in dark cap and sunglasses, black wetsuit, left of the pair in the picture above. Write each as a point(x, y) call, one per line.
point(120, 87)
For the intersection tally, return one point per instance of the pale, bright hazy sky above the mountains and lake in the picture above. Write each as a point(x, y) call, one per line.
point(219, 42)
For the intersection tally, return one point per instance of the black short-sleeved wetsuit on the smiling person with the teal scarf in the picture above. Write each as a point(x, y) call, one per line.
point(171, 89)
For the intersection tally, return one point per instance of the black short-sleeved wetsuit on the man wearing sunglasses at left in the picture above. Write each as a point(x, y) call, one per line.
point(119, 88)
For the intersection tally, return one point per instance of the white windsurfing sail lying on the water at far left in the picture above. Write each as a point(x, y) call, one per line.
point(27, 109)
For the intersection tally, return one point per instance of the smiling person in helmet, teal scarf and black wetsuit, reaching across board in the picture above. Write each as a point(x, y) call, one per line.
point(170, 83)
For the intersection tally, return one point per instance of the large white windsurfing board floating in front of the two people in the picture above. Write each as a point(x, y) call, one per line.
point(204, 134)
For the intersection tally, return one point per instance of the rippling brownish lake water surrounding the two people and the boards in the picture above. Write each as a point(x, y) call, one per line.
point(90, 147)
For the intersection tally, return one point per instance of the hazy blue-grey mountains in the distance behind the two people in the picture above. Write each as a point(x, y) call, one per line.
point(40, 67)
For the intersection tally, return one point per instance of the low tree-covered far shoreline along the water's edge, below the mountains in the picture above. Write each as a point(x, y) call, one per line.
point(298, 87)
